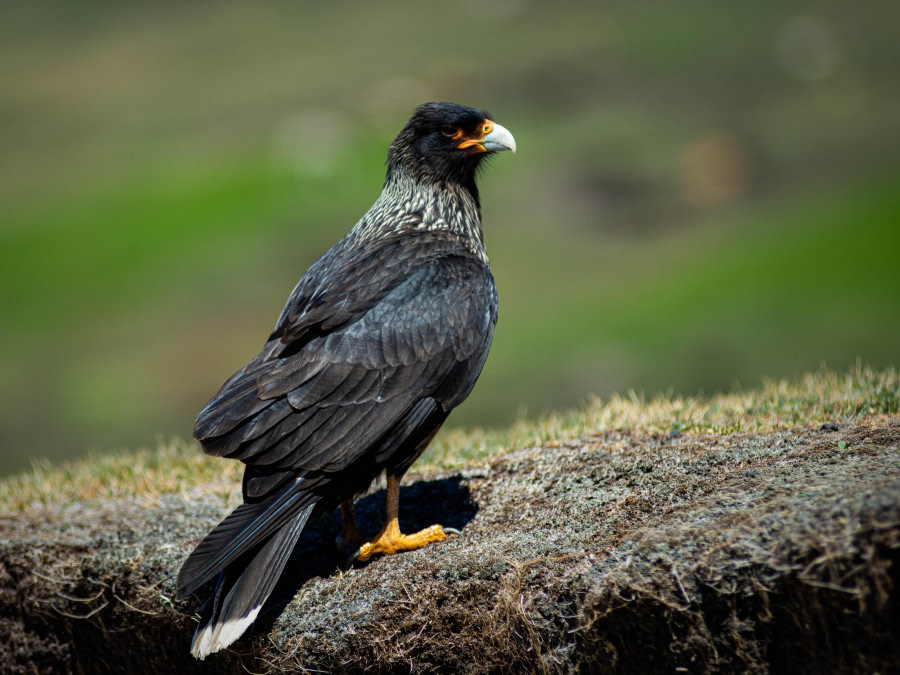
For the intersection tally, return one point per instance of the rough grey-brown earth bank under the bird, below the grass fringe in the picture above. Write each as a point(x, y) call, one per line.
point(618, 552)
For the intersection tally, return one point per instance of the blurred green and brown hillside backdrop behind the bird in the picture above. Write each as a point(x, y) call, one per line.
point(704, 194)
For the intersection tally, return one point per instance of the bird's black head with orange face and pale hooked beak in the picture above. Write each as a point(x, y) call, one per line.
point(446, 142)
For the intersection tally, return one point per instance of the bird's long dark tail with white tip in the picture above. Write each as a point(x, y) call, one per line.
point(247, 551)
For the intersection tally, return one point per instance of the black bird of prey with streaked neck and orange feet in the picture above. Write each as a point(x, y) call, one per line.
point(383, 336)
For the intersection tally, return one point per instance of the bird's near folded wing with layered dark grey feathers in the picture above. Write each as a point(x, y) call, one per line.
point(323, 407)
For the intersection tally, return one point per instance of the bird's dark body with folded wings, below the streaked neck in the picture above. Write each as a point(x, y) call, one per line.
point(356, 371)
